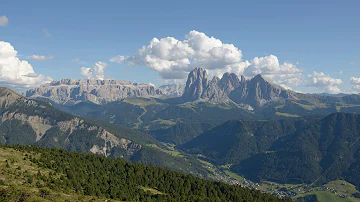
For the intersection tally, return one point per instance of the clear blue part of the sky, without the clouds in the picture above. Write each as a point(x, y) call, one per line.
point(321, 36)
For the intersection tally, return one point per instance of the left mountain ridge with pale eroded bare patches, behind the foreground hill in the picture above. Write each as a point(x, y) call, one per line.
point(30, 122)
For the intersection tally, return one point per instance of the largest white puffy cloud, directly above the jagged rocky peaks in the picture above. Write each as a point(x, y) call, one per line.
point(173, 58)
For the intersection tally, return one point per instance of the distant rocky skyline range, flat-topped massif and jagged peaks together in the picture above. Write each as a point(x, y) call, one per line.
point(257, 92)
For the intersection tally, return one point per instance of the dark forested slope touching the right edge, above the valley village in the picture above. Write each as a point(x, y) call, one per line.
point(325, 150)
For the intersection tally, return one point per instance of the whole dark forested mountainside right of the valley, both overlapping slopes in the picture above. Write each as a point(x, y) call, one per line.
point(298, 150)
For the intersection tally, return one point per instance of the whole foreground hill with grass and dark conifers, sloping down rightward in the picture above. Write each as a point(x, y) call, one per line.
point(33, 173)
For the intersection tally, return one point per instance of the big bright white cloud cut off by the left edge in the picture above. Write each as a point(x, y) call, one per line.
point(16, 73)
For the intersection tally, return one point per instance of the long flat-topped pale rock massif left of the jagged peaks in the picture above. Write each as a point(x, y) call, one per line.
point(69, 91)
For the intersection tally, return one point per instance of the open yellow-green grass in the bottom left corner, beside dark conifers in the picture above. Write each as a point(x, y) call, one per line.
point(15, 169)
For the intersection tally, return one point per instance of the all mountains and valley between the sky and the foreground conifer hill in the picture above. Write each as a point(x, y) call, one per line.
point(250, 127)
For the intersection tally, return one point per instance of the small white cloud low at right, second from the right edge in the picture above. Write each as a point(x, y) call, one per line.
point(324, 82)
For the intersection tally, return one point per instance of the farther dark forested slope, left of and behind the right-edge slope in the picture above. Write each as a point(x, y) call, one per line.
point(236, 140)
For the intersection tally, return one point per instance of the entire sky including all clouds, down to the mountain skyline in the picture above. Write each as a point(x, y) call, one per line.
point(306, 46)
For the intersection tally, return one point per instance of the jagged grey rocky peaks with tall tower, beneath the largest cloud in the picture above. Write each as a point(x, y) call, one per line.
point(255, 92)
